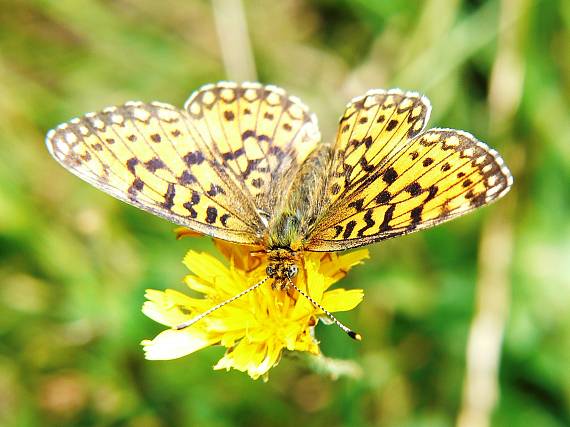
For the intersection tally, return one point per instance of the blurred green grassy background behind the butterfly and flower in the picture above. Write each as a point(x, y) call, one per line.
point(467, 324)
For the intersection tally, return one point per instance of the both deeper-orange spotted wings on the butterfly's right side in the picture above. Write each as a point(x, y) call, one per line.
point(388, 178)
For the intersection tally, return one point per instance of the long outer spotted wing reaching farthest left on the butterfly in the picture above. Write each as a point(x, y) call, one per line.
point(146, 155)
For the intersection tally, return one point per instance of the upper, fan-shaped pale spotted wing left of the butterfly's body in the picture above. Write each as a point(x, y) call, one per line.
point(257, 133)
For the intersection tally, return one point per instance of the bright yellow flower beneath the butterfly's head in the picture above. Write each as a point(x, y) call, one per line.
point(257, 327)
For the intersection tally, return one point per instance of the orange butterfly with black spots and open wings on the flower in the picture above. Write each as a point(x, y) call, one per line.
point(245, 163)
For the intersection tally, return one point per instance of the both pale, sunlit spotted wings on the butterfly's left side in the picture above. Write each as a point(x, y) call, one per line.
point(180, 164)
